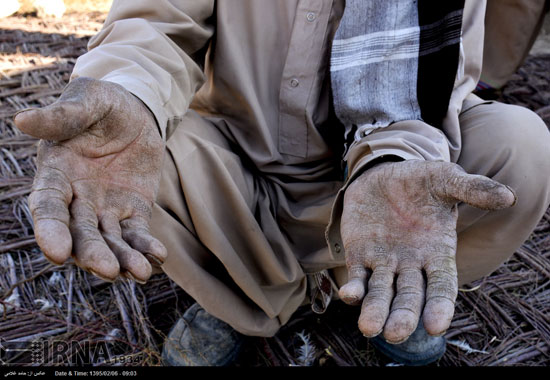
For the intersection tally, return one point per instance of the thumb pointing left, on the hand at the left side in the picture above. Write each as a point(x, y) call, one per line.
point(78, 107)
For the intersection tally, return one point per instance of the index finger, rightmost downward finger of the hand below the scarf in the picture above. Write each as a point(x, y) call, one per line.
point(441, 293)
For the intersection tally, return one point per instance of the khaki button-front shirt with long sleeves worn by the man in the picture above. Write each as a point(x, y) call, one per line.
point(260, 69)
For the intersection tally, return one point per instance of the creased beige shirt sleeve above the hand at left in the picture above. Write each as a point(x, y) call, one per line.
point(152, 49)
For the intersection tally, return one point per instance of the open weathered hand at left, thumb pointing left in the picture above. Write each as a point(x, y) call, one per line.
point(98, 170)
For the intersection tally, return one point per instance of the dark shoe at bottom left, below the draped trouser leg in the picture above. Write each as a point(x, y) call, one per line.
point(199, 339)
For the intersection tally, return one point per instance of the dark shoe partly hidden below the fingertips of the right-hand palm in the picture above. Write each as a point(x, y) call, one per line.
point(420, 349)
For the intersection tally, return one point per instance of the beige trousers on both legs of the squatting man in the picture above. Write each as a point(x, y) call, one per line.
point(241, 243)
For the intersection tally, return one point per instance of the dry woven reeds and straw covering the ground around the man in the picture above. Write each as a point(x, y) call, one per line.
point(503, 319)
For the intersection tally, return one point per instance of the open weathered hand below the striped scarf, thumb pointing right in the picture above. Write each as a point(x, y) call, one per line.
point(399, 232)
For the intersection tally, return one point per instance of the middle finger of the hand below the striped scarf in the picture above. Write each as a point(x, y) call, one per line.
point(406, 307)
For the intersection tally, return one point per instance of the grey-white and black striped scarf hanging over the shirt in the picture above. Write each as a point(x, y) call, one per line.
point(394, 60)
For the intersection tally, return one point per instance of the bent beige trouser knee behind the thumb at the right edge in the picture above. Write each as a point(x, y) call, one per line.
point(511, 145)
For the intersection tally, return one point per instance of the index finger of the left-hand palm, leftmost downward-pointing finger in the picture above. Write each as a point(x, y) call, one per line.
point(48, 203)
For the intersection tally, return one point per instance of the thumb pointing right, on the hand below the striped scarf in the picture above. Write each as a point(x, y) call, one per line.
point(476, 190)
